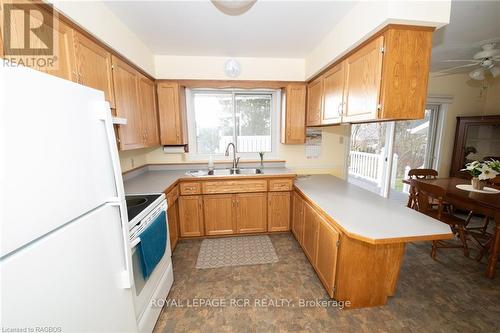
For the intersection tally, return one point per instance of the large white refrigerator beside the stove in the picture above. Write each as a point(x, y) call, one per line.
point(65, 260)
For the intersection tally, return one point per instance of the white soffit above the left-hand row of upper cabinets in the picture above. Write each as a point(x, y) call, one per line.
point(98, 20)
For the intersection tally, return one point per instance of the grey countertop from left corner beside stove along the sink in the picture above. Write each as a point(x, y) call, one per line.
point(157, 181)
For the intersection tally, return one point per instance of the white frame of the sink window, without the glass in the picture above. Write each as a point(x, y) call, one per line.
point(194, 155)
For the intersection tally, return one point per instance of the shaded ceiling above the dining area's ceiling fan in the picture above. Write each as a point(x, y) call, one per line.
point(472, 23)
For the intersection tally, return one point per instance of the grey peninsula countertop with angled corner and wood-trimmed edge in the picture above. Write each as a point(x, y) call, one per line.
point(367, 216)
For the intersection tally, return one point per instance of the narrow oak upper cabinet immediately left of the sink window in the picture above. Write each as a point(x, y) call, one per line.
point(172, 112)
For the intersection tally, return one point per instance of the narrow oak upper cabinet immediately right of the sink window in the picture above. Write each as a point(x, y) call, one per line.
point(293, 114)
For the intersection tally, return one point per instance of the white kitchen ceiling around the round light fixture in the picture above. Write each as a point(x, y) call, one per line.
point(285, 29)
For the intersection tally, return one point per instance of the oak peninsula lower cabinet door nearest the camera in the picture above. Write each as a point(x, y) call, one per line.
point(326, 263)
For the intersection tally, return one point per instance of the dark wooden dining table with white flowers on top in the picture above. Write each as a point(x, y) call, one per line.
point(482, 201)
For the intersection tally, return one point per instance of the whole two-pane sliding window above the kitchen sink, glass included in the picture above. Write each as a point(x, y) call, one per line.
point(248, 118)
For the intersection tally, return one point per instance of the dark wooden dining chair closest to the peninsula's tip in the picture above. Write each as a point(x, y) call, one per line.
point(426, 196)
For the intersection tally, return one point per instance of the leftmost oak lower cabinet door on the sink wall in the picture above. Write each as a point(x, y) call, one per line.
point(191, 216)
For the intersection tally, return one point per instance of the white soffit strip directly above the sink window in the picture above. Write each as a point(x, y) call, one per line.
point(212, 68)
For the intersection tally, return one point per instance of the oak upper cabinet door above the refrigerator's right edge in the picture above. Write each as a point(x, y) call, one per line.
point(93, 64)
